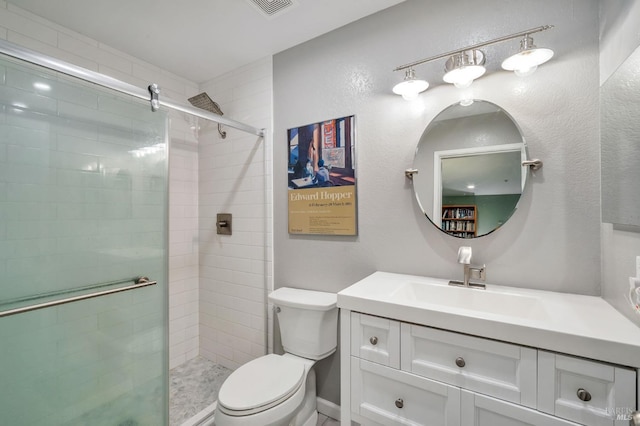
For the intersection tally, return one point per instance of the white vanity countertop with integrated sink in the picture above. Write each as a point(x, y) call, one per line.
point(585, 326)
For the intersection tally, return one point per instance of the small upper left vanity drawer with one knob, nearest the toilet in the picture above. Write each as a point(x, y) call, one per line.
point(375, 339)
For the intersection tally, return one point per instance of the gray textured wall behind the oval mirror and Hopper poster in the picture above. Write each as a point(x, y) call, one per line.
point(553, 240)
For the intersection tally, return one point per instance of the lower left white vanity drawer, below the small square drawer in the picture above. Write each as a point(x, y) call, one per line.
point(385, 396)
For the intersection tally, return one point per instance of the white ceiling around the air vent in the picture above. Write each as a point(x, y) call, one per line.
point(200, 39)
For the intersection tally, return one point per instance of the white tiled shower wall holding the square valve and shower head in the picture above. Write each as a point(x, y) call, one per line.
point(235, 177)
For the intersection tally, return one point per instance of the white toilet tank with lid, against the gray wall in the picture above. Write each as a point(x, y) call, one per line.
point(308, 321)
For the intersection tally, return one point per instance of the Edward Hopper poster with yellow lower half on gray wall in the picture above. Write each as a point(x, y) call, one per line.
point(322, 178)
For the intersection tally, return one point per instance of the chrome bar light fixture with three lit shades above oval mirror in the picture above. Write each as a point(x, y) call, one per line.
point(465, 65)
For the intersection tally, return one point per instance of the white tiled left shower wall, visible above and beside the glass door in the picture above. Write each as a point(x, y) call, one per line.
point(33, 32)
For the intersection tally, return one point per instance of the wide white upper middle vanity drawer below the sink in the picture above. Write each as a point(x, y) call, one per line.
point(497, 369)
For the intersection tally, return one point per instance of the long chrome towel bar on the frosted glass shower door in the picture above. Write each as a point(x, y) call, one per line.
point(138, 282)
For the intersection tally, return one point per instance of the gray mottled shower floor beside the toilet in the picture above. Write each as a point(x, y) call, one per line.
point(193, 386)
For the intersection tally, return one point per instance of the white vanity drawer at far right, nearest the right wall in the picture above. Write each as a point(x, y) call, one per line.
point(565, 382)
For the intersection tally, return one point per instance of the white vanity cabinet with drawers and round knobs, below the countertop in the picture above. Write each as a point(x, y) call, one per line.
point(398, 373)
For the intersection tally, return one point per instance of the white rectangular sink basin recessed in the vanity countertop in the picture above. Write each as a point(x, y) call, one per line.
point(496, 302)
